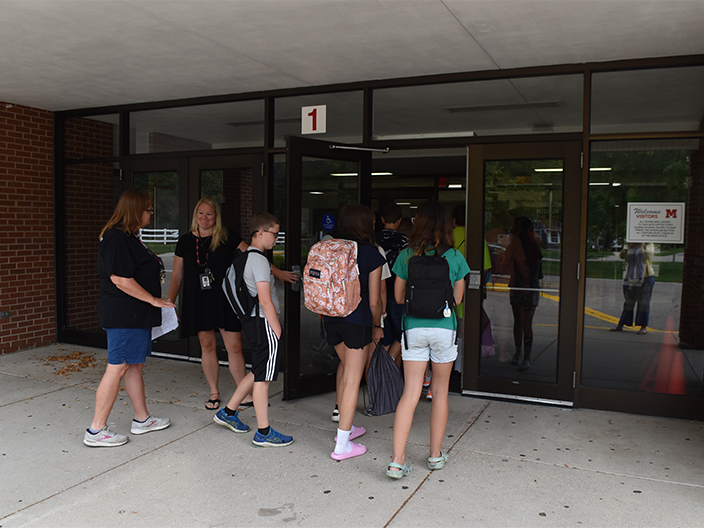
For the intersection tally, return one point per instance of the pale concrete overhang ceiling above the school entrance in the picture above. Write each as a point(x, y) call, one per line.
point(67, 54)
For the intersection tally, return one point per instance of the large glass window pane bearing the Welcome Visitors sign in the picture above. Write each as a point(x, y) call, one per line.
point(643, 309)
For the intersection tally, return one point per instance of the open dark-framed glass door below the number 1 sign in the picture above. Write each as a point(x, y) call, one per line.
point(320, 179)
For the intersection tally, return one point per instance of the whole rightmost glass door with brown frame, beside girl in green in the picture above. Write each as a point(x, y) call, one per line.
point(523, 221)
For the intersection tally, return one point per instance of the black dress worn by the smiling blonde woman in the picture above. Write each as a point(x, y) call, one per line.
point(205, 309)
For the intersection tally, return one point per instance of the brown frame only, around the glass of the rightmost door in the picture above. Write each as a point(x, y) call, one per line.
point(570, 311)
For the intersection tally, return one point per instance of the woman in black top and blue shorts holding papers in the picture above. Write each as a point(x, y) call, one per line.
point(129, 306)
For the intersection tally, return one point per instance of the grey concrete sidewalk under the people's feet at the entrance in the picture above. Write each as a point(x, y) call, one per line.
point(511, 465)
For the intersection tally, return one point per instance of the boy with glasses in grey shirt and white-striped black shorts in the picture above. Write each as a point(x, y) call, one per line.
point(263, 330)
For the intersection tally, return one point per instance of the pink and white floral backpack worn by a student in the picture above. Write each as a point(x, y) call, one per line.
point(331, 278)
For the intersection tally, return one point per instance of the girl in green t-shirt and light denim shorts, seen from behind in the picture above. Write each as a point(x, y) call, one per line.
point(427, 338)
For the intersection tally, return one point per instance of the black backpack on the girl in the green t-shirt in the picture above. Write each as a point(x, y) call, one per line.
point(429, 291)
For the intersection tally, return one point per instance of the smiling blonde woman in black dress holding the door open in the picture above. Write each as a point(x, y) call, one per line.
point(201, 260)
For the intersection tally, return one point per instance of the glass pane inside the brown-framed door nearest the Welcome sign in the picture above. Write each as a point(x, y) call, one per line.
point(523, 253)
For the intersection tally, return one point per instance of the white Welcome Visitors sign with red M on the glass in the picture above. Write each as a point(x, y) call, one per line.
point(656, 222)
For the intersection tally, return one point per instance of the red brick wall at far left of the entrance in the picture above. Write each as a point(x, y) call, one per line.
point(26, 228)
